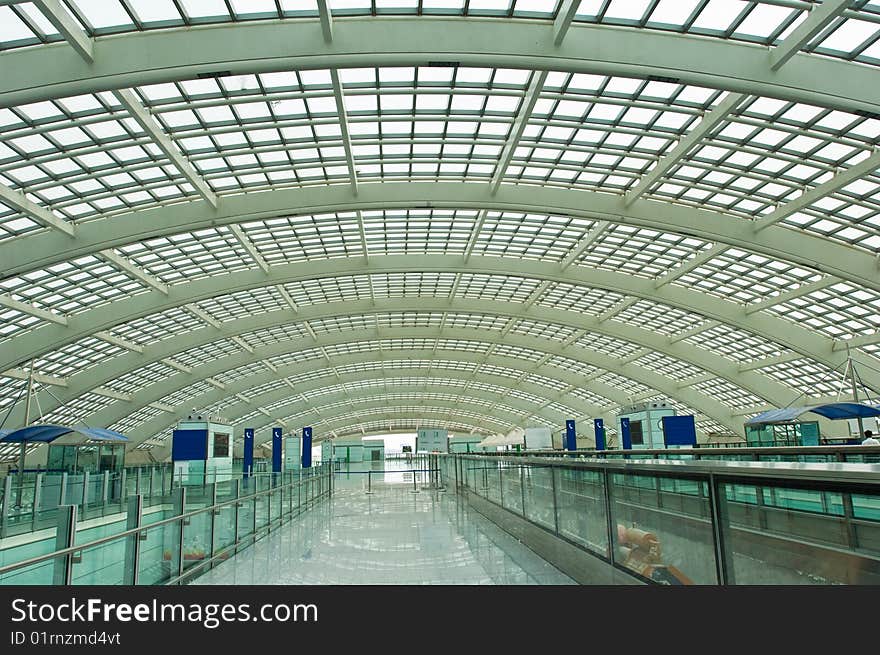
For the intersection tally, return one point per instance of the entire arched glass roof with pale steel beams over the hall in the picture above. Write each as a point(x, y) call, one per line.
point(481, 214)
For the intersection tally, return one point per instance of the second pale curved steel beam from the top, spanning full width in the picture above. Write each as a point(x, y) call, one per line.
point(28, 253)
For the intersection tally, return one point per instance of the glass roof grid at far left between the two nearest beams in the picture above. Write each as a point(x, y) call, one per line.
point(84, 156)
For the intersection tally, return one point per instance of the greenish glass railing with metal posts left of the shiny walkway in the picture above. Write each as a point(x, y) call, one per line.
point(188, 530)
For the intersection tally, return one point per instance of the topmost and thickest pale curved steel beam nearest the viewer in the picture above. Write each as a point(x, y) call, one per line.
point(154, 56)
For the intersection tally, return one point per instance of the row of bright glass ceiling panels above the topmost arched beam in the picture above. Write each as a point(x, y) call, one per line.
point(853, 36)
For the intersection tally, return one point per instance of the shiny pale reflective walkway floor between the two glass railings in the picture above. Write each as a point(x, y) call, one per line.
point(390, 536)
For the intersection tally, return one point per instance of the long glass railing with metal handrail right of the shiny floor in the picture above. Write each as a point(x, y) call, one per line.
point(686, 522)
